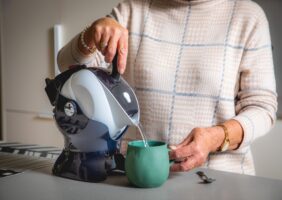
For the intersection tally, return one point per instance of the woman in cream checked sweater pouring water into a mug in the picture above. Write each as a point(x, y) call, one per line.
point(202, 71)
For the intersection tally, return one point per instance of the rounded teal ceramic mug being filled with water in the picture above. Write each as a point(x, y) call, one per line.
point(147, 167)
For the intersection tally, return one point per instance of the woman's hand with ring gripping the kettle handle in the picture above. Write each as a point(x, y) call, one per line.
point(110, 38)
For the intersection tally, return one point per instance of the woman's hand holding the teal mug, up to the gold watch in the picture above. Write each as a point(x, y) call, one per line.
point(194, 150)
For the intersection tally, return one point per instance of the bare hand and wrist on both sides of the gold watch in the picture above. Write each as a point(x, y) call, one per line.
point(194, 150)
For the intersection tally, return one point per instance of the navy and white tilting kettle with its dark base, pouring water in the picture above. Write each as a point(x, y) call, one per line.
point(92, 109)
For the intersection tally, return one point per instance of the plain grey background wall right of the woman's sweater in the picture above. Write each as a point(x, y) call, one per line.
point(267, 150)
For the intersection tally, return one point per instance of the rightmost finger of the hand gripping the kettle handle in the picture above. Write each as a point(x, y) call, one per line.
point(122, 52)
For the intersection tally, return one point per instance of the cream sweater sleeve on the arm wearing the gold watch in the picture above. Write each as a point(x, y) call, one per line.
point(256, 103)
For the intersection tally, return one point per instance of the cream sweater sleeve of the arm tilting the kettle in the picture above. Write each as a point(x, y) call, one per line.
point(70, 54)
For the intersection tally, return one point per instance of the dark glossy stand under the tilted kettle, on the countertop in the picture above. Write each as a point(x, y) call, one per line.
point(89, 167)
